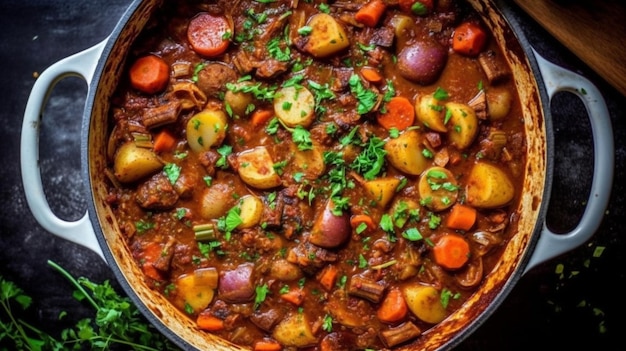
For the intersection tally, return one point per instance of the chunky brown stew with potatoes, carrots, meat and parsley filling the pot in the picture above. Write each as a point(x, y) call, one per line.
point(316, 175)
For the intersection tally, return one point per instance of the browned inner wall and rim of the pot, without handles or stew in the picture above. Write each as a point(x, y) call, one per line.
point(180, 328)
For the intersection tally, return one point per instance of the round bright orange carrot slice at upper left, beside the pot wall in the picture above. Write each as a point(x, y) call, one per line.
point(149, 74)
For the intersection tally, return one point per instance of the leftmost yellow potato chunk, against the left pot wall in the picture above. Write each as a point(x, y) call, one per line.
point(133, 163)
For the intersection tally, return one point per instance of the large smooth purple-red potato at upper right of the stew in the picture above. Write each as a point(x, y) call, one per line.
point(422, 62)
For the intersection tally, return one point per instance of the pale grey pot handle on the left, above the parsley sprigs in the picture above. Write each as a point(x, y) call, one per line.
point(83, 65)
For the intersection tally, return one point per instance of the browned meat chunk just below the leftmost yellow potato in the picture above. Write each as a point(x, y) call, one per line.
point(157, 193)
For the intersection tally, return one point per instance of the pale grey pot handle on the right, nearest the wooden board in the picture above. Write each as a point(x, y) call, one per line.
point(558, 79)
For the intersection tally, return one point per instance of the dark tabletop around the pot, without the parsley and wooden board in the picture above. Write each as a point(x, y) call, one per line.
point(546, 310)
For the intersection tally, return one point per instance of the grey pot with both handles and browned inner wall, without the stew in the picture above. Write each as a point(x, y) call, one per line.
point(537, 80)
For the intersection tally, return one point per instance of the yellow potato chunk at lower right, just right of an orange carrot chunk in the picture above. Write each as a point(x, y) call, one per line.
point(425, 303)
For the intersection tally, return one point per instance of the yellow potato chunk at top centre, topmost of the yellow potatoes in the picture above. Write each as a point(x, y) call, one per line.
point(327, 36)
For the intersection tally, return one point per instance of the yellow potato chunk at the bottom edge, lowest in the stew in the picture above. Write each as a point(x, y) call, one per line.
point(294, 331)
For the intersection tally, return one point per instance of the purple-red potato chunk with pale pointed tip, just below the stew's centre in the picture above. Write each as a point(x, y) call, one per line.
point(329, 230)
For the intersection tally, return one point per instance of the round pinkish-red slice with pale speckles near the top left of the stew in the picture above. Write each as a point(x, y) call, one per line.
point(209, 34)
